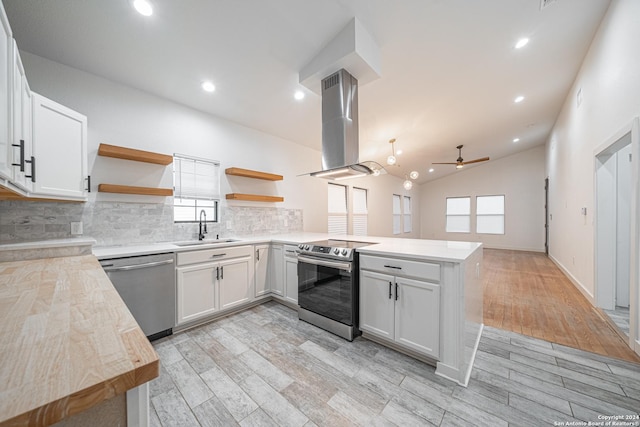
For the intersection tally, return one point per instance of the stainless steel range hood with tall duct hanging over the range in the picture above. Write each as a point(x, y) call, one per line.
point(340, 146)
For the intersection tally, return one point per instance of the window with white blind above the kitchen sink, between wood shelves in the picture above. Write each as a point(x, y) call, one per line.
point(196, 185)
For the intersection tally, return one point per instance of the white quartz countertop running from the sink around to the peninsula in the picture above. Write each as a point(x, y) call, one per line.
point(421, 249)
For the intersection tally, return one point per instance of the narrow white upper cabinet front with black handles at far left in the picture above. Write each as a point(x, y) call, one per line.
point(22, 126)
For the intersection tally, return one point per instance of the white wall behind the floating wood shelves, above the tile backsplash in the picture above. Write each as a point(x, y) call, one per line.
point(121, 115)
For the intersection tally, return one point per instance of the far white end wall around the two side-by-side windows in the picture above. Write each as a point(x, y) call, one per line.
point(519, 177)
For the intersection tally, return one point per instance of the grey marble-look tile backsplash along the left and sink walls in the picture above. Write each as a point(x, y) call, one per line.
point(115, 223)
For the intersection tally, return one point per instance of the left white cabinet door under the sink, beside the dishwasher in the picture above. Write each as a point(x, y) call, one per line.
point(196, 295)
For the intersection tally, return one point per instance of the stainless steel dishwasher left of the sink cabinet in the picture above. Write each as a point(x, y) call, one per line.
point(147, 284)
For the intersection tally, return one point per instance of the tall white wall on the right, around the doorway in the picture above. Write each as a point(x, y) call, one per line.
point(609, 80)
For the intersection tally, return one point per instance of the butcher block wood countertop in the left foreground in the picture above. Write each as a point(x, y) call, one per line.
point(67, 340)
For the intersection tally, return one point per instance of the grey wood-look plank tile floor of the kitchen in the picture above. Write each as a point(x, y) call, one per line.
point(264, 367)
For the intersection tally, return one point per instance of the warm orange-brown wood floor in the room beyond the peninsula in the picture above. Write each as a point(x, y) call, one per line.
point(526, 292)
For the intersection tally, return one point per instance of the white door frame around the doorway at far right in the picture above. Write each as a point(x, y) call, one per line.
point(608, 147)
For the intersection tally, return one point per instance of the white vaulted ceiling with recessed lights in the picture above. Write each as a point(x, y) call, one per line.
point(450, 69)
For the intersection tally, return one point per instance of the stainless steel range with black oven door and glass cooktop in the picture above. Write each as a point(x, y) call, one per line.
point(328, 286)
